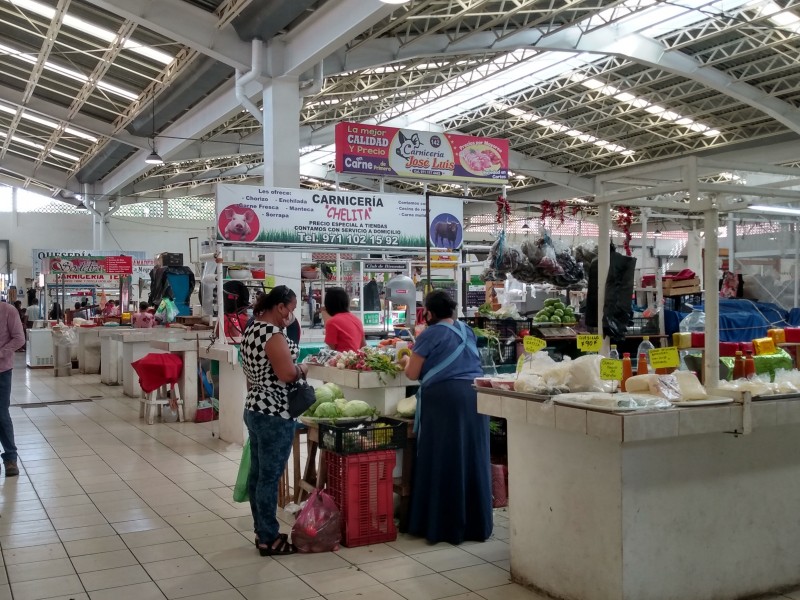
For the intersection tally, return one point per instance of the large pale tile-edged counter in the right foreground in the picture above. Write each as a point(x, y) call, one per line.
point(660, 505)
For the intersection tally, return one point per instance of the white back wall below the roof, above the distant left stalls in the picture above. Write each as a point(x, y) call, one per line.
point(27, 231)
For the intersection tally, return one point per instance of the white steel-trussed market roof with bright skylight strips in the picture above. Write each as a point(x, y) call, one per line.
point(577, 87)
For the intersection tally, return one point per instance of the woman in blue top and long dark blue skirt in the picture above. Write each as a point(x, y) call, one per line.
point(451, 498)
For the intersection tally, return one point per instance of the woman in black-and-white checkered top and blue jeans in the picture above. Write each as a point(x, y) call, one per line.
point(268, 358)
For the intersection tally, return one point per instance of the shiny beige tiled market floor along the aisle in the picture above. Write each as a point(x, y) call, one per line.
point(109, 508)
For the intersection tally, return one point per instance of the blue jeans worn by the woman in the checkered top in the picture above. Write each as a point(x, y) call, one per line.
point(270, 445)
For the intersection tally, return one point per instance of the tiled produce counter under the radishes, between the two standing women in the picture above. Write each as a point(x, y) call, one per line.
point(379, 390)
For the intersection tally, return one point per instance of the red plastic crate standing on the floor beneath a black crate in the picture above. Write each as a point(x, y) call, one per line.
point(361, 486)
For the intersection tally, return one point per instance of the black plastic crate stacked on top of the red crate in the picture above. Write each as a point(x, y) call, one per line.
point(353, 440)
